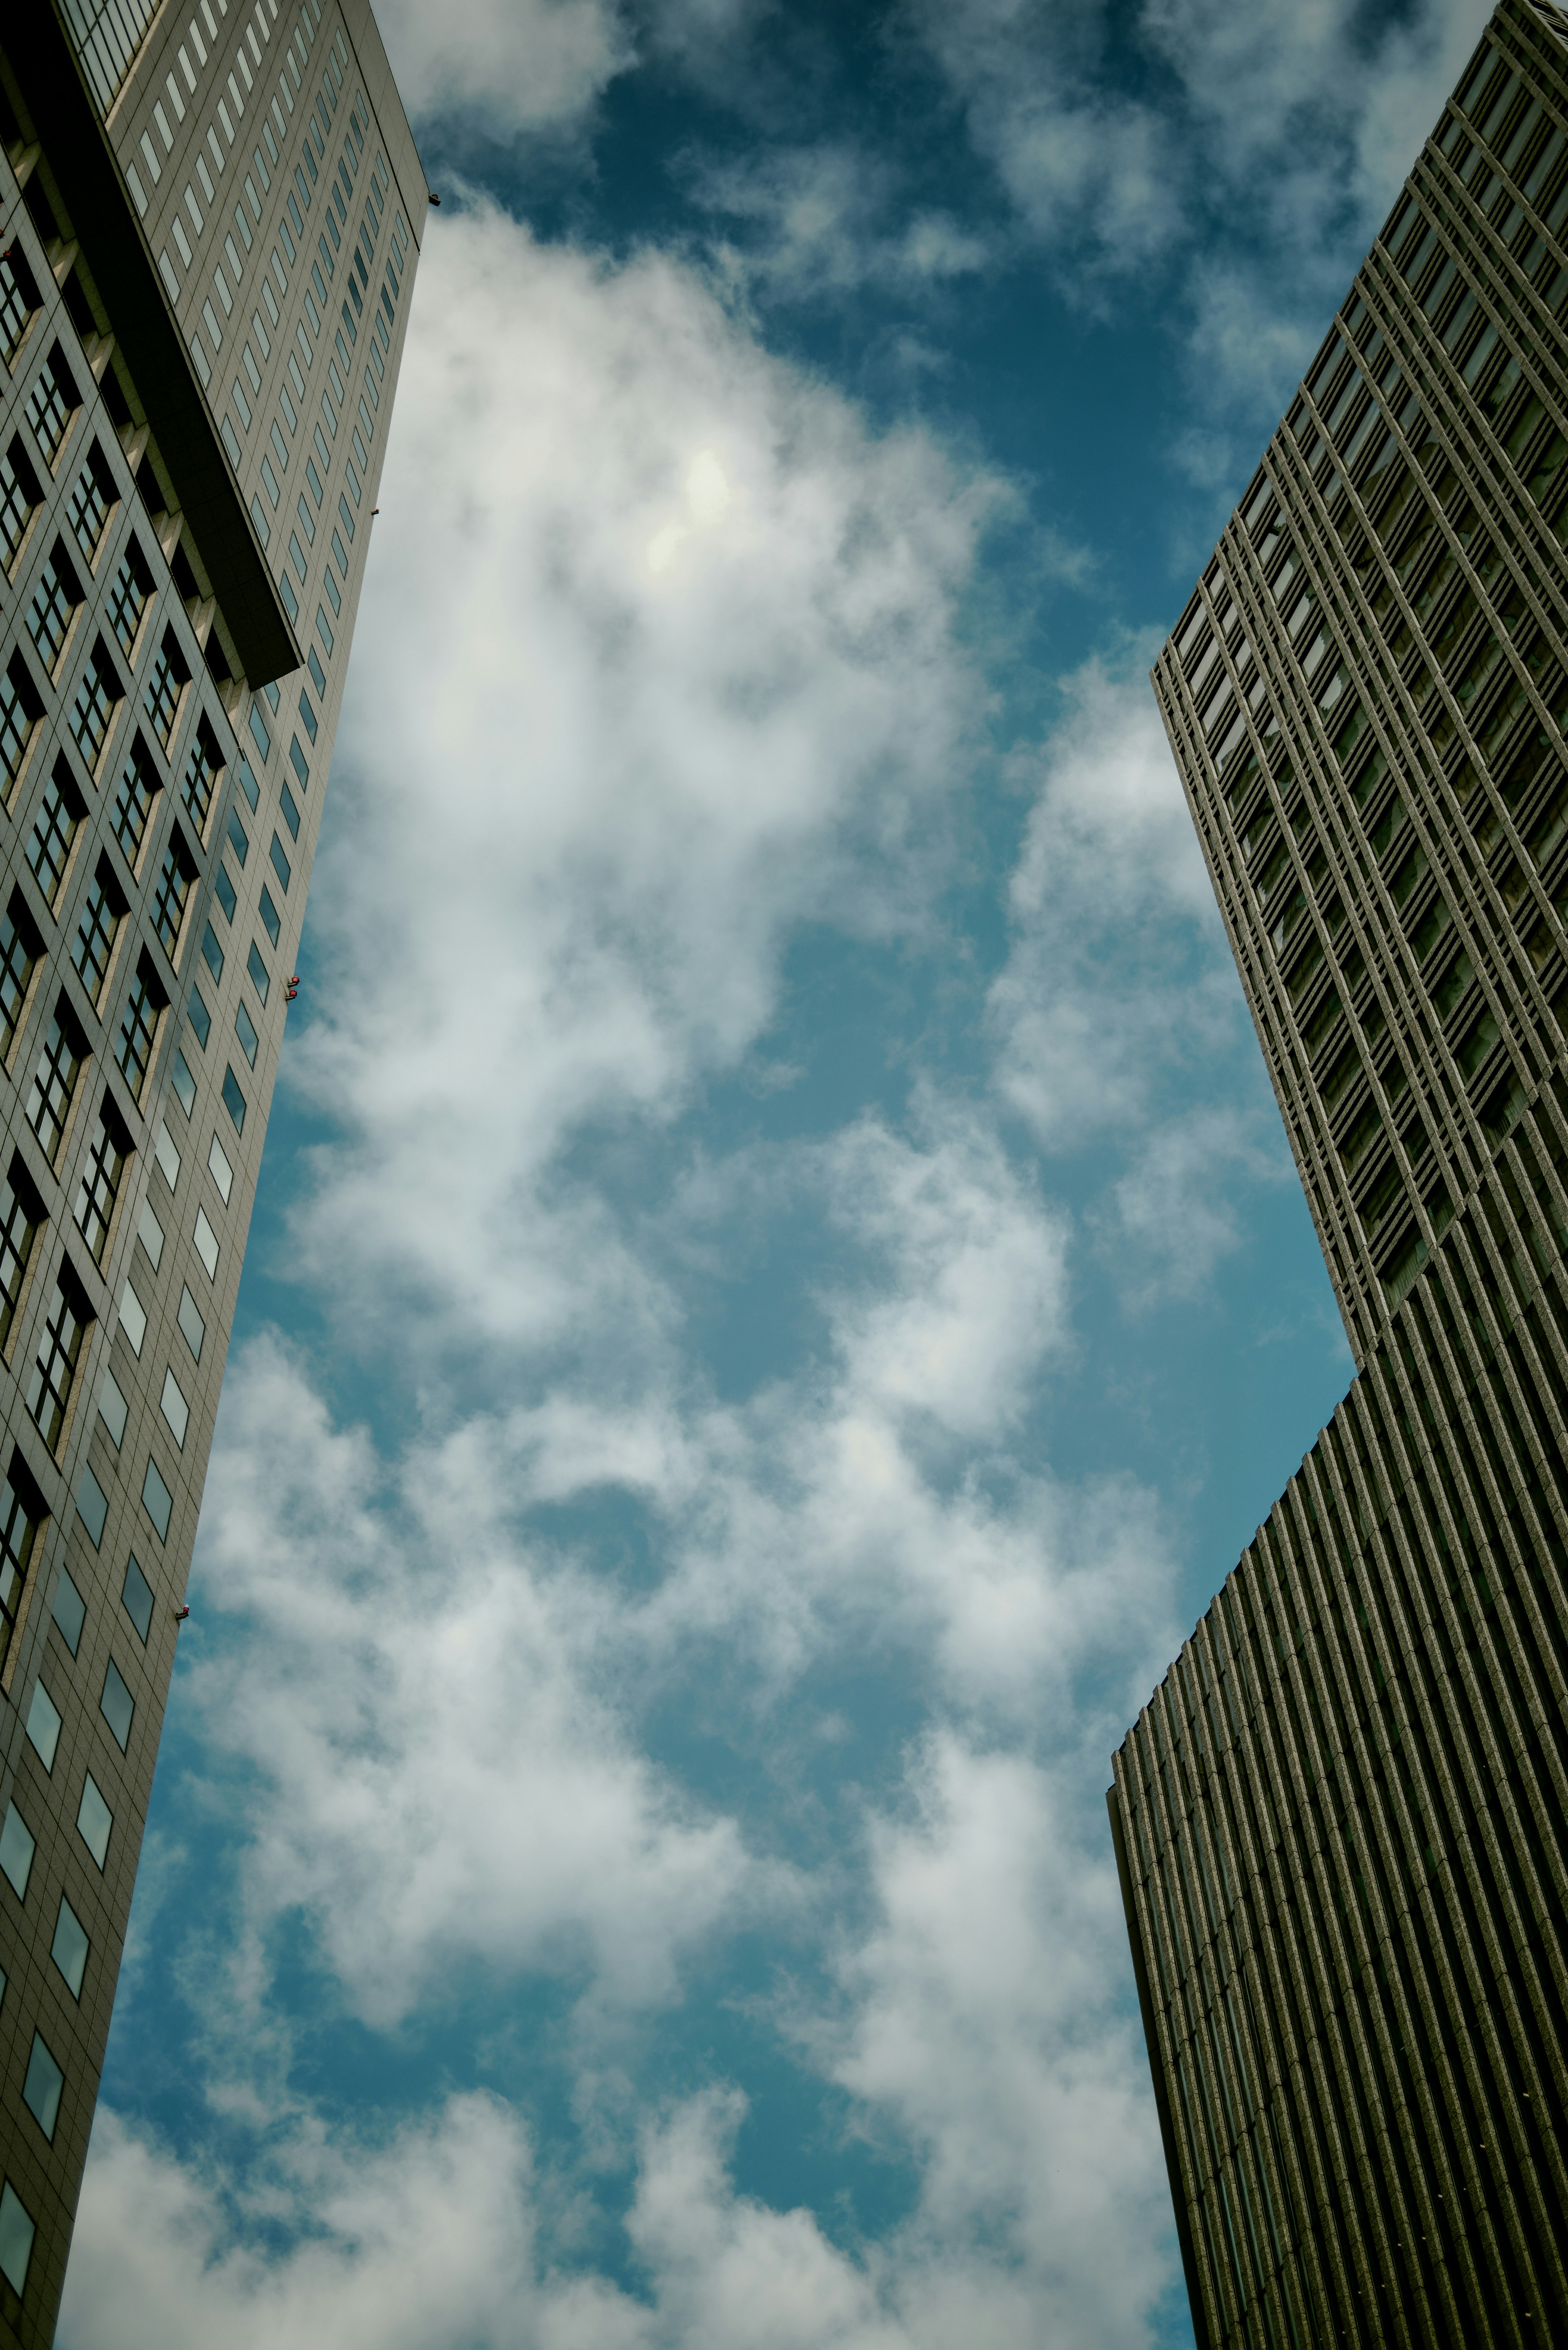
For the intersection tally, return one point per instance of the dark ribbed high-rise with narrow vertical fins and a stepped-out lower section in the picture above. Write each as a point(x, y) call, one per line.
point(1343, 1818)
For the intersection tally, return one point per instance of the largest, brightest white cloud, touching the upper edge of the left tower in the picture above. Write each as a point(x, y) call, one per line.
point(690, 678)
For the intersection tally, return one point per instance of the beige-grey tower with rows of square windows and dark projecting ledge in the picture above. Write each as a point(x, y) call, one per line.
point(210, 215)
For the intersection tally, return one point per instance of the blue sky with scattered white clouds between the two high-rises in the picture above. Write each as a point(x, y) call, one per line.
point(777, 1289)
